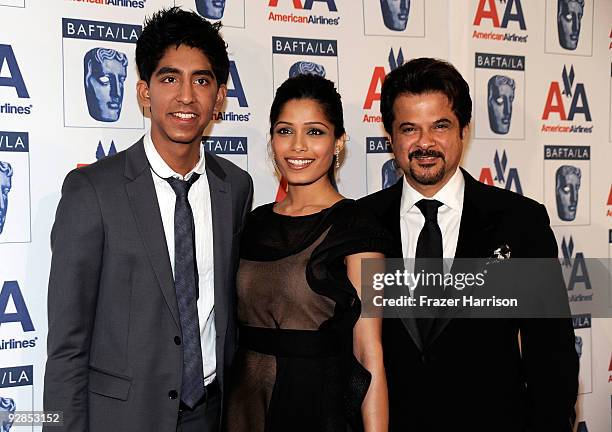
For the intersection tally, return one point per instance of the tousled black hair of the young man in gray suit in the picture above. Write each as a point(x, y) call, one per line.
point(175, 27)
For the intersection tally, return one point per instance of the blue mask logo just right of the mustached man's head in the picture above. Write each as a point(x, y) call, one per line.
point(500, 95)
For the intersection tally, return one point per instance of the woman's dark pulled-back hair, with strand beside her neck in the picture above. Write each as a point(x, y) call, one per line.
point(318, 89)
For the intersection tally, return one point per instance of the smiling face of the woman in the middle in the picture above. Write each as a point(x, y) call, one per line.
point(303, 142)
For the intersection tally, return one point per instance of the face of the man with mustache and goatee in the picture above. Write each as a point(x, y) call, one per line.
point(426, 139)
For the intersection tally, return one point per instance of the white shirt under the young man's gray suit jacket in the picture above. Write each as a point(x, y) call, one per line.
point(199, 199)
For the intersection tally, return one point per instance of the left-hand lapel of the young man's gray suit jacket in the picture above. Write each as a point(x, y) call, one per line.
point(143, 200)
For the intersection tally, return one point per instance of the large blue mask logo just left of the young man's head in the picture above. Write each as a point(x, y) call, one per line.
point(105, 71)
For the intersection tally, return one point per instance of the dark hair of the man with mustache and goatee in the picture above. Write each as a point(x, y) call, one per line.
point(426, 75)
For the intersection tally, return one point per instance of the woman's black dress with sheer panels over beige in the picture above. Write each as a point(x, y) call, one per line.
point(294, 369)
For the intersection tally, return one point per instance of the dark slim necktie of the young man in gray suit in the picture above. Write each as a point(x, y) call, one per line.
point(192, 388)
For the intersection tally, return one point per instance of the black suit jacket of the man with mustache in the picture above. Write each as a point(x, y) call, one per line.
point(473, 375)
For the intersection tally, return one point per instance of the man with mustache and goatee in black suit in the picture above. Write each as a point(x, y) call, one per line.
point(464, 374)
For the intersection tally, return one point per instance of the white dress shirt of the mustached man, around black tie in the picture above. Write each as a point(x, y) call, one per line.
point(449, 216)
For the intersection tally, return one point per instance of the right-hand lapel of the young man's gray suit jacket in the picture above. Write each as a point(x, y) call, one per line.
point(222, 222)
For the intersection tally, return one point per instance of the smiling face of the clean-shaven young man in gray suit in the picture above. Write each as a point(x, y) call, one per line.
point(183, 95)
